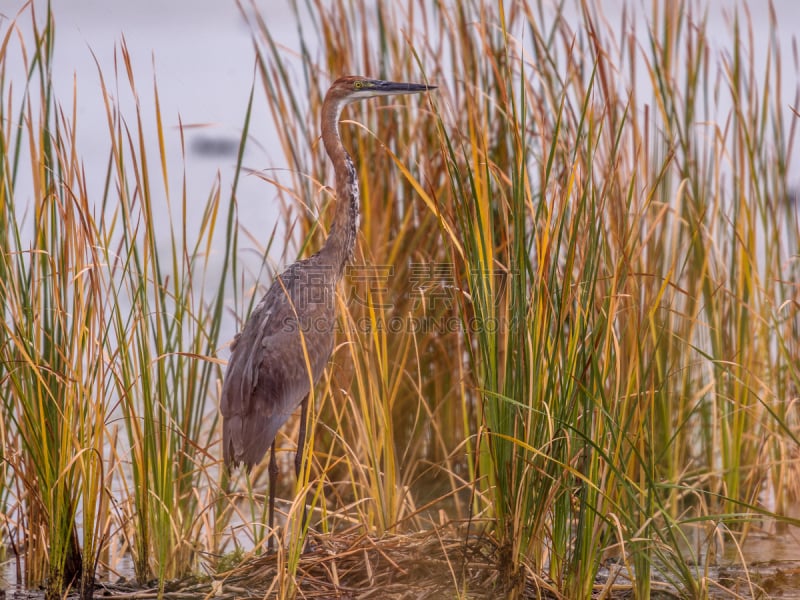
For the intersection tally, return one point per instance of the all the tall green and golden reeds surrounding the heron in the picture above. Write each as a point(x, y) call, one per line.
point(571, 328)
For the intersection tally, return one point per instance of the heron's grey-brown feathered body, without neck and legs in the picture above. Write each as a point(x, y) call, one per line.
point(268, 384)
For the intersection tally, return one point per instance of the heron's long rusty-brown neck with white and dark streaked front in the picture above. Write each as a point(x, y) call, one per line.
point(339, 246)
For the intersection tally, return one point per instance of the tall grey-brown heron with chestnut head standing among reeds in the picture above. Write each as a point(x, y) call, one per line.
point(280, 353)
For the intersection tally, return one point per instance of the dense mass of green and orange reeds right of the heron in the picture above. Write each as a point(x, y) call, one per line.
point(598, 229)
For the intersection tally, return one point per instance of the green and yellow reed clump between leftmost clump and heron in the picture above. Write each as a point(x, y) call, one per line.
point(169, 331)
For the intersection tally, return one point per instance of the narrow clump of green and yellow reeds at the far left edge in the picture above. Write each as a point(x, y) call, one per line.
point(48, 338)
